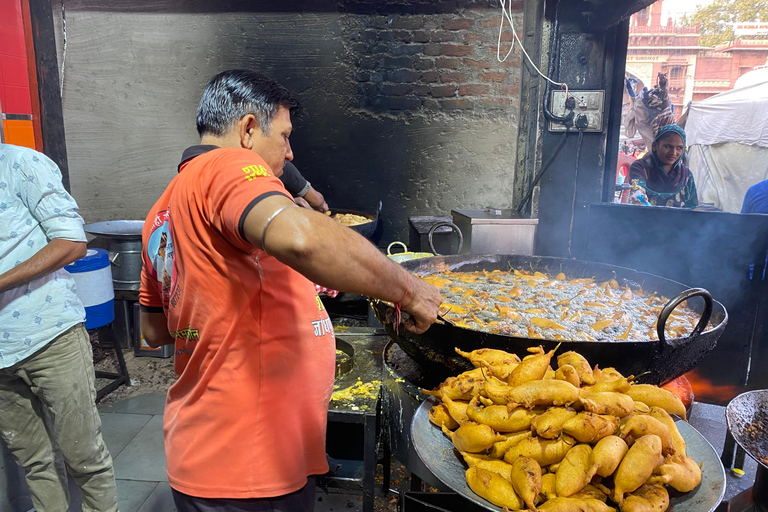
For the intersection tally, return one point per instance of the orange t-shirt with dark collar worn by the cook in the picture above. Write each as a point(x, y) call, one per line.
point(255, 350)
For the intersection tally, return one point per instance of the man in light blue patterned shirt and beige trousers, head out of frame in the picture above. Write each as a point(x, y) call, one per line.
point(46, 363)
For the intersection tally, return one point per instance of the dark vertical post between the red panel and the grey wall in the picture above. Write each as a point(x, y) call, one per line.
point(43, 67)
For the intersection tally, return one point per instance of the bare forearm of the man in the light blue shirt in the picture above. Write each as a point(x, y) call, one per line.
point(52, 257)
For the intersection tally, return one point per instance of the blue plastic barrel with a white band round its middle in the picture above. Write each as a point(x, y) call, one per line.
point(93, 279)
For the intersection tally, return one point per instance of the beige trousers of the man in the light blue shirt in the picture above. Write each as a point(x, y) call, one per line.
point(47, 401)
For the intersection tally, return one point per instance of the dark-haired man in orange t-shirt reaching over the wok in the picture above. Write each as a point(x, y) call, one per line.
point(229, 262)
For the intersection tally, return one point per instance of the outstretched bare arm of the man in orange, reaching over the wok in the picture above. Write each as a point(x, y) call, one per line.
point(337, 257)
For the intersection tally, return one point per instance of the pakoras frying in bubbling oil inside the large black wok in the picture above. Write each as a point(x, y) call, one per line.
point(533, 304)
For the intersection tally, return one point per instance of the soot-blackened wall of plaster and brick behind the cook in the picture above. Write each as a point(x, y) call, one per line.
point(406, 100)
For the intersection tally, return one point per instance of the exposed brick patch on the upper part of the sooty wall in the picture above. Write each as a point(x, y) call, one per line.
point(427, 57)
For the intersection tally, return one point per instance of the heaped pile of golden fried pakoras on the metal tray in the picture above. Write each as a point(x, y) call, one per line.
point(574, 438)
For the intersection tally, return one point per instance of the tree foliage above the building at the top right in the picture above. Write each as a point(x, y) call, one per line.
point(716, 19)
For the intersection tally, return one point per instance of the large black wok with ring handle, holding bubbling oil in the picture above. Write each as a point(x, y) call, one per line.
point(664, 359)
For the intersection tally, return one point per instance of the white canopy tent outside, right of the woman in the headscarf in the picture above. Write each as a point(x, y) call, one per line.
point(727, 135)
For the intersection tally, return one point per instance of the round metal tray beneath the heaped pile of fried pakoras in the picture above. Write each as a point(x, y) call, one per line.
point(438, 455)
